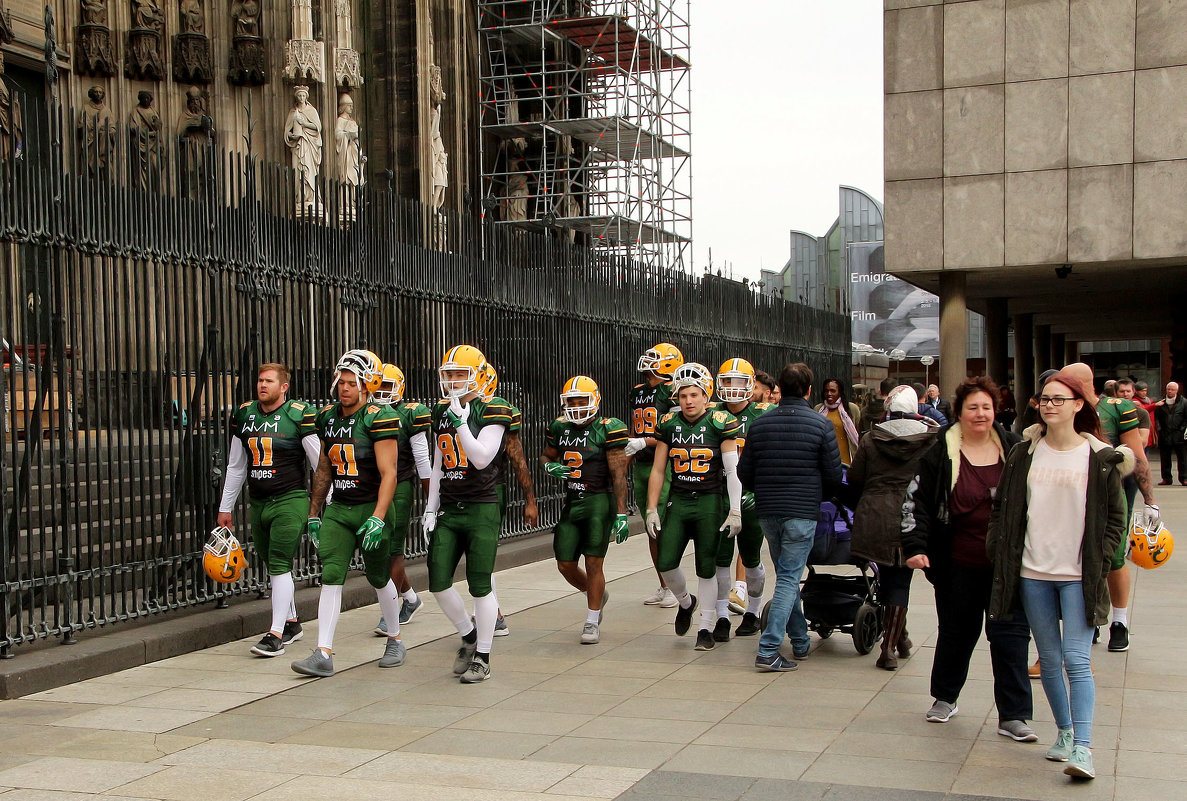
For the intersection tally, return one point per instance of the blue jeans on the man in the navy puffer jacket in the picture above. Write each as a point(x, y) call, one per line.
point(791, 543)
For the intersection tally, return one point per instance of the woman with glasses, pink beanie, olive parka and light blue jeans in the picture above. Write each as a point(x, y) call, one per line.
point(1058, 519)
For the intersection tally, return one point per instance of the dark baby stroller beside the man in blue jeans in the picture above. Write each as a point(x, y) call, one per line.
point(840, 603)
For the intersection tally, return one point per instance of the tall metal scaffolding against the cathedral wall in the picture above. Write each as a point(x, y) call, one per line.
point(586, 123)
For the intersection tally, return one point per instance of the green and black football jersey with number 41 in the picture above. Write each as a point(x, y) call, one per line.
point(348, 442)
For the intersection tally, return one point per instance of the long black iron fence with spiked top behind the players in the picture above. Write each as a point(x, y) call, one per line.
point(144, 277)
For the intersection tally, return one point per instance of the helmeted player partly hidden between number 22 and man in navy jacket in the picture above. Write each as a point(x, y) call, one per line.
point(737, 387)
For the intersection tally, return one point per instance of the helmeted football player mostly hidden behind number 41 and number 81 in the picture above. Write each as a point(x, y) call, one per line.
point(412, 466)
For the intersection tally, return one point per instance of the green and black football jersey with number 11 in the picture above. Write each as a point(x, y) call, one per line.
point(274, 443)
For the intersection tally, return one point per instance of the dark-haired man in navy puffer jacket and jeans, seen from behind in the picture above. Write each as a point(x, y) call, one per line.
point(791, 463)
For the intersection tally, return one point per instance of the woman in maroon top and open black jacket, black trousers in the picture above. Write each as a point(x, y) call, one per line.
point(945, 520)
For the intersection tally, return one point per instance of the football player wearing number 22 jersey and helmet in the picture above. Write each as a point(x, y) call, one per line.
point(699, 444)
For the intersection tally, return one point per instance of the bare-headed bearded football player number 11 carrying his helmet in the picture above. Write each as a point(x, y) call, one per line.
point(272, 438)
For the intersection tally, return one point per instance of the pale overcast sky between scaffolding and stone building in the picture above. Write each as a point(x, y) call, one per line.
point(788, 106)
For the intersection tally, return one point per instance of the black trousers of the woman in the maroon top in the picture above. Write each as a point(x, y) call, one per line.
point(962, 602)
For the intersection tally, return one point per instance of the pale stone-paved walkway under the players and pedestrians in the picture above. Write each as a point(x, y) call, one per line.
point(640, 716)
